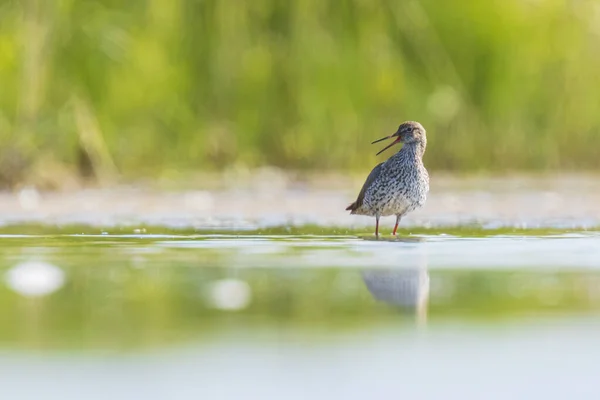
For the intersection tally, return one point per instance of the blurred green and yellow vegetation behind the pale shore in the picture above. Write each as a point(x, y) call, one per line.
point(141, 88)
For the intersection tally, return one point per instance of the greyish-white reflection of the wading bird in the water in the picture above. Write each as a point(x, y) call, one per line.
point(405, 287)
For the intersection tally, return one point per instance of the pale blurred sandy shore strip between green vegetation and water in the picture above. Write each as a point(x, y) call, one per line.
point(273, 198)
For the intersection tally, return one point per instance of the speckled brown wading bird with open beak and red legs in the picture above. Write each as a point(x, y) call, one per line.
point(400, 184)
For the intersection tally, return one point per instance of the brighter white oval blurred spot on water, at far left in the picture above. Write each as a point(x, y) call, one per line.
point(35, 278)
